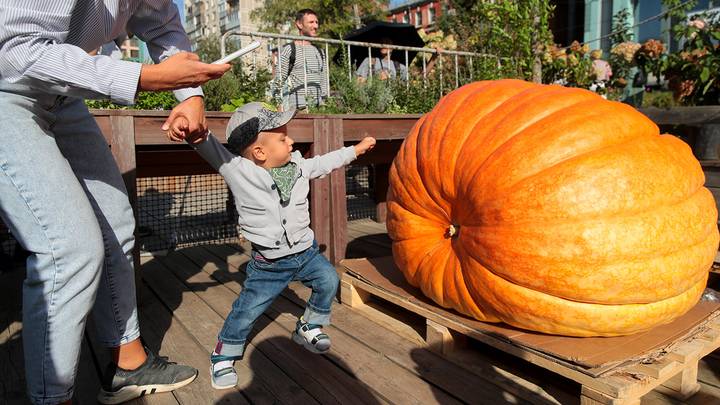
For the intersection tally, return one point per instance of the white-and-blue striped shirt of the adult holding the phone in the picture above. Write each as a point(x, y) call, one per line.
point(45, 44)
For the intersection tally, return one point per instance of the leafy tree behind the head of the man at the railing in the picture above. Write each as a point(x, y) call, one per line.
point(336, 17)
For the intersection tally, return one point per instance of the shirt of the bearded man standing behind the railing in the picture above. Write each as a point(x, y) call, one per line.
point(293, 84)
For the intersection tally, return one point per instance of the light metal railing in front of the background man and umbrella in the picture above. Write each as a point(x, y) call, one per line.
point(282, 39)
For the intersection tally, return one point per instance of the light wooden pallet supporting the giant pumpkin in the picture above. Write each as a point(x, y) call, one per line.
point(671, 369)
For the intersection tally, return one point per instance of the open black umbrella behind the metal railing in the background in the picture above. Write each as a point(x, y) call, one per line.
point(375, 32)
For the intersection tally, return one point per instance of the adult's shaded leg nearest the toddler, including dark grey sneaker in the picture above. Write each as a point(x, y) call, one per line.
point(135, 372)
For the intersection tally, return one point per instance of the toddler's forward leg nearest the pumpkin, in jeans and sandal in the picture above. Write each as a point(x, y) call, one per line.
point(318, 274)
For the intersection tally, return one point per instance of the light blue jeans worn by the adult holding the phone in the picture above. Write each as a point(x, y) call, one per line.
point(63, 198)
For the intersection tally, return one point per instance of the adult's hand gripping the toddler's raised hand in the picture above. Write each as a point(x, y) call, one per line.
point(187, 121)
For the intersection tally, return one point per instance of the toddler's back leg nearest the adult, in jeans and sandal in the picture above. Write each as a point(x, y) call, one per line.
point(264, 282)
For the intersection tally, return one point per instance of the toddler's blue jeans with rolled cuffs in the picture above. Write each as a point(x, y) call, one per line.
point(266, 279)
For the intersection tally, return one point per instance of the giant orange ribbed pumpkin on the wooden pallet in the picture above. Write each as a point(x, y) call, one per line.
point(550, 209)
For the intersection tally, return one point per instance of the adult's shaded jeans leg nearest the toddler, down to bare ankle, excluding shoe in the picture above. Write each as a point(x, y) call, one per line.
point(115, 312)
